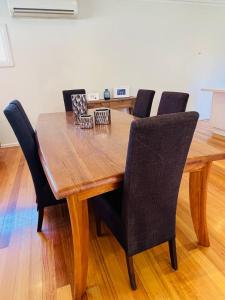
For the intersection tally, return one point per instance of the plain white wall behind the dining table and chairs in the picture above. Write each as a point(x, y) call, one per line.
point(143, 44)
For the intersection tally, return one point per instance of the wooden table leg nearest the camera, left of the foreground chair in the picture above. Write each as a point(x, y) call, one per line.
point(78, 211)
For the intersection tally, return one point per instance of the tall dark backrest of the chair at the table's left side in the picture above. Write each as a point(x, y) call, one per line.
point(25, 134)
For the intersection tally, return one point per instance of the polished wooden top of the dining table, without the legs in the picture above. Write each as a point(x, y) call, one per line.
point(78, 160)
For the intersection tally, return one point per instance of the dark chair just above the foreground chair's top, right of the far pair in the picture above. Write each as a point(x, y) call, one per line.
point(172, 102)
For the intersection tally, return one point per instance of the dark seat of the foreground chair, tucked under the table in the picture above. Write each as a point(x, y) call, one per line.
point(108, 208)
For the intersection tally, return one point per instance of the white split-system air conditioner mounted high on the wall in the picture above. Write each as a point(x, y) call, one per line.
point(43, 8)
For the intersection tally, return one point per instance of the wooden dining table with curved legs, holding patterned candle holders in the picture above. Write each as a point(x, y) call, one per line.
point(82, 163)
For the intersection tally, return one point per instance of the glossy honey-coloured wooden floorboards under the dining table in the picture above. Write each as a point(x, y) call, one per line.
point(39, 266)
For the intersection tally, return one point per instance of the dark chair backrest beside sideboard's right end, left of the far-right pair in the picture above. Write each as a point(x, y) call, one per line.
point(143, 103)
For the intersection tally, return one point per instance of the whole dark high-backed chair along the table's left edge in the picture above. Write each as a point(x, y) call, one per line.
point(25, 134)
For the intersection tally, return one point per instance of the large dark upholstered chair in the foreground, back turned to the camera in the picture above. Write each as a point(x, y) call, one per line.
point(142, 214)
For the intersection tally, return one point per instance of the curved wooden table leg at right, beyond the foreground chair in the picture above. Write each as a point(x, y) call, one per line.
point(198, 184)
